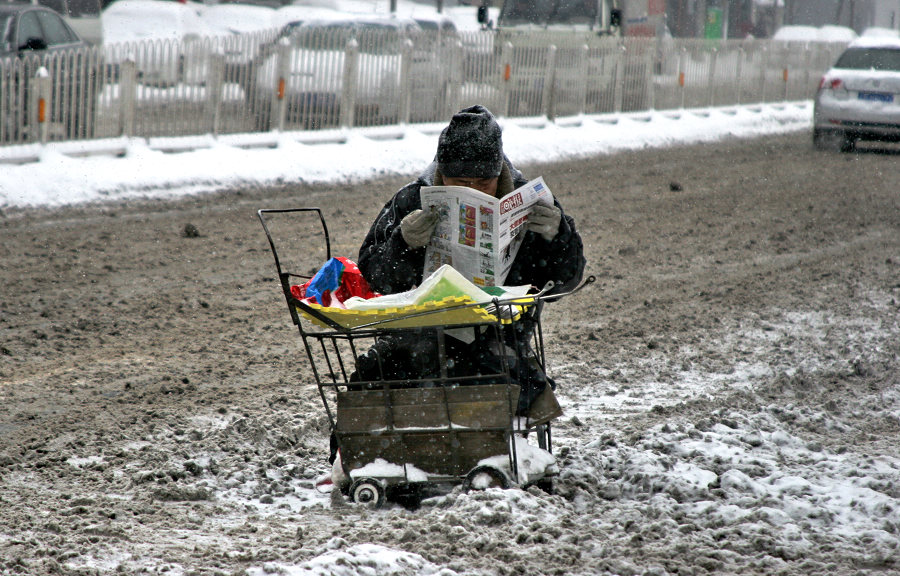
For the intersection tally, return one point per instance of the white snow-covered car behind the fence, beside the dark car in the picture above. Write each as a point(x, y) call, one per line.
point(168, 41)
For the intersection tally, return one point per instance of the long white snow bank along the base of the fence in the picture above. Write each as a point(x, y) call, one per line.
point(233, 161)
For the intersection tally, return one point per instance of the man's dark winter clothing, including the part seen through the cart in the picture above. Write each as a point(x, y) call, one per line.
point(391, 266)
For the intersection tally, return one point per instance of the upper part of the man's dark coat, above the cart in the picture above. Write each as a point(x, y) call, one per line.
point(391, 266)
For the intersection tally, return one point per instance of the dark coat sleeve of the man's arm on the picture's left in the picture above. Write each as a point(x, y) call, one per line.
point(385, 259)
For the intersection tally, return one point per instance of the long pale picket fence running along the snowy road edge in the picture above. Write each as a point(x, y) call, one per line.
point(266, 81)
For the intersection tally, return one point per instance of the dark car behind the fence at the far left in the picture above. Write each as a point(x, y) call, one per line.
point(35, 39)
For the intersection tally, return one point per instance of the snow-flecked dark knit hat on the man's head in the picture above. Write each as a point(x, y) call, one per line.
point(470, 146)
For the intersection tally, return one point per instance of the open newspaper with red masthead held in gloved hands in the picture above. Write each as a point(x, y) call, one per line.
point(477, 234)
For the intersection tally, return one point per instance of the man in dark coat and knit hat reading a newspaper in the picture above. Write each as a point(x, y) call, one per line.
point(393, 257)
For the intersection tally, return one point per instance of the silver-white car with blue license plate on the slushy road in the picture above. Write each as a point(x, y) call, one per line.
point(859, 97)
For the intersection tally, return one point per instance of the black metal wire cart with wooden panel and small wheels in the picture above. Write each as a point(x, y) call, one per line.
point(401, 431)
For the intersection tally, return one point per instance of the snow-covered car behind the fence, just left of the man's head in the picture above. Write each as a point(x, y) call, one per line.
point(314, 84)
